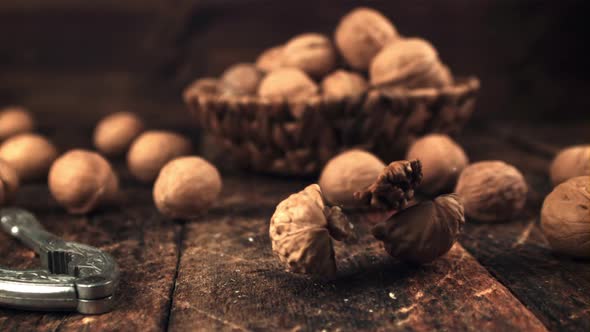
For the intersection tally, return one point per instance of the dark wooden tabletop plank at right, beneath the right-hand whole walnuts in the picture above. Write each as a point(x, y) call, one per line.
point(556, 288)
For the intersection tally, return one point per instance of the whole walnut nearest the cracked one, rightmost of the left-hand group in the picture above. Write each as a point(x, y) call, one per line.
point(186, 187)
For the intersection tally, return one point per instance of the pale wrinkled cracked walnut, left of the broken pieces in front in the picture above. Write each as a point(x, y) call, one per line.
point(301, 231)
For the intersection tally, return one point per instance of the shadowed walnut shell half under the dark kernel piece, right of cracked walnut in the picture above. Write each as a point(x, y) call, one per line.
point(423, 232)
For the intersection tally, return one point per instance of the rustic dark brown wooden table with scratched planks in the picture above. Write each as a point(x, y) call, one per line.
point(218, 272)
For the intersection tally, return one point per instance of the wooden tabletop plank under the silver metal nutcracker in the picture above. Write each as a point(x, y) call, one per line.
point(144, 245)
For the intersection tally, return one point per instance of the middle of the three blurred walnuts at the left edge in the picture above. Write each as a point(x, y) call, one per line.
point(30, 155)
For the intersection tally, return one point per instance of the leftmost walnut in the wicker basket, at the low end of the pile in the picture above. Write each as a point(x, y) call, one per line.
point(241, 79)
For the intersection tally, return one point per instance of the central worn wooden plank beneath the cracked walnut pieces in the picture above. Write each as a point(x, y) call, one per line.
point(229, 280)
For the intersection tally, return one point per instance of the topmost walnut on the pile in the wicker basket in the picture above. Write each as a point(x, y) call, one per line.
point(361, 34)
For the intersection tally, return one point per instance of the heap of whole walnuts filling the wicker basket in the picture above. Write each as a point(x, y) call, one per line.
point(310, 64)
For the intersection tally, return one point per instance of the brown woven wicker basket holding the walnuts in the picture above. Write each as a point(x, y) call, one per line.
point(298, 138)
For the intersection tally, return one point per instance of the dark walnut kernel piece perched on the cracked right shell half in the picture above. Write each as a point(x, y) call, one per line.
point(394, 187)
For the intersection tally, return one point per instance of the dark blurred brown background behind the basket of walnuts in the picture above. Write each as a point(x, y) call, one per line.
point(86, 58)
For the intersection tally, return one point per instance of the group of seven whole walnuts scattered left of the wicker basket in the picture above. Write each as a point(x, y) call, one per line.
point(83, 180)
